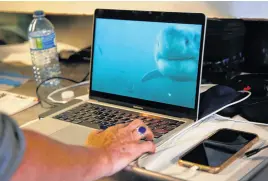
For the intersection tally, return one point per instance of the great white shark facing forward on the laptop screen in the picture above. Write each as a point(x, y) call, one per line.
point(176, 54)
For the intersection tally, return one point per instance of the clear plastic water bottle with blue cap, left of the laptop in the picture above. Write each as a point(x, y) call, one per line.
point(43, 49)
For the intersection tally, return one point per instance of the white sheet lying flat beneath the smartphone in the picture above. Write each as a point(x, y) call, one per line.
point(165, 160)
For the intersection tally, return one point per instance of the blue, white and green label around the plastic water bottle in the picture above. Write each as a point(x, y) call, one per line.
point(43, 42)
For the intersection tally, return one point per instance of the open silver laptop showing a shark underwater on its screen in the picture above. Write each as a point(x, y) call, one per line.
point(145, 65)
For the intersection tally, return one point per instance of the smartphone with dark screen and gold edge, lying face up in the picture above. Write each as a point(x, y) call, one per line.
point(218, 150)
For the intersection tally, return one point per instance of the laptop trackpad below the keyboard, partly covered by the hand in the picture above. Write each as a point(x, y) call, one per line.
point(72, 134)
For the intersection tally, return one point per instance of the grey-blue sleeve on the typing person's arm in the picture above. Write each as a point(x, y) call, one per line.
point(12, 146)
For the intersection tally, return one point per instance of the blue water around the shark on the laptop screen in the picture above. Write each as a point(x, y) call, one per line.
point(124, 52)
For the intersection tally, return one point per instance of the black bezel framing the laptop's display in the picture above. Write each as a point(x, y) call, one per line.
point(151, 16)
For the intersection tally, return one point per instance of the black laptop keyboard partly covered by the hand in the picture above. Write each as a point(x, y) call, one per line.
point(88, 114)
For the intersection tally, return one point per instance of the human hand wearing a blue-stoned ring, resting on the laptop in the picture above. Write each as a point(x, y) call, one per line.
point(122, 144)
